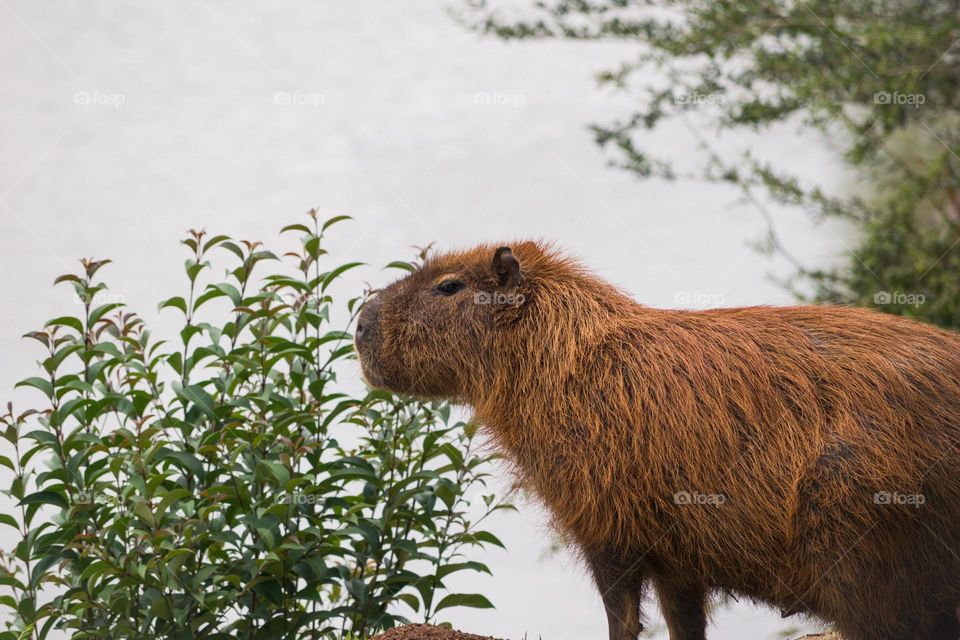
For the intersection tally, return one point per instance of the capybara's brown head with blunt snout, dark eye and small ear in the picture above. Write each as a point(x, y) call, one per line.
point(433, 332)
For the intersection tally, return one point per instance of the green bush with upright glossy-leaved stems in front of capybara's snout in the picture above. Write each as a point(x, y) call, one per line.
point(226, 484)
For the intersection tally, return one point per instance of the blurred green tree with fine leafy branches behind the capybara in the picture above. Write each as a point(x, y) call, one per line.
point(880, 75)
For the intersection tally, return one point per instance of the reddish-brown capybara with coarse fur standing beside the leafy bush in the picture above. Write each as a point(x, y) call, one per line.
point(804, 457)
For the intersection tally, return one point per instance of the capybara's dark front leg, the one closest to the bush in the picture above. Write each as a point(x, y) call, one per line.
point(620, 583)
